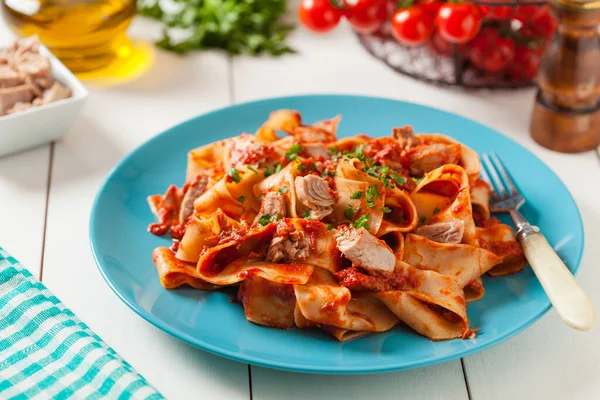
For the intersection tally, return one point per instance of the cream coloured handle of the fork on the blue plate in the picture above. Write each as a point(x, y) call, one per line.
point(568, 298)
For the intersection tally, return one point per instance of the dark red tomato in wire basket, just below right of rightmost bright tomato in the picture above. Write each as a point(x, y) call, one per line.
point(490, 51)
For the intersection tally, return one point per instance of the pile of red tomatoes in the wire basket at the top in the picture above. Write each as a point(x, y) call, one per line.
point(495, 36)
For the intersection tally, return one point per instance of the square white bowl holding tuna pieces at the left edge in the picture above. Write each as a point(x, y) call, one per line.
point(45, 123)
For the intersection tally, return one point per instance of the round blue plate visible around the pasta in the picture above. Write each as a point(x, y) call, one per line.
point(208, 320)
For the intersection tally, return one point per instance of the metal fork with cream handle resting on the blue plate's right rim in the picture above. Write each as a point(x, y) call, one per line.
point(568, 298)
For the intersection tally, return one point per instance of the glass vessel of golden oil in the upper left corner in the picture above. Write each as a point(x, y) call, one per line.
point(83, 34)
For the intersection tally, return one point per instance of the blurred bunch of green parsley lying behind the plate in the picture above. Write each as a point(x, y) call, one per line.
point(237, 26)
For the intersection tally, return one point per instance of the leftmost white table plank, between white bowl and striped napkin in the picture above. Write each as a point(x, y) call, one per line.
point(23, 184)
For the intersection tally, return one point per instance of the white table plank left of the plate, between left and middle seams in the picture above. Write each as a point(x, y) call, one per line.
point(113, 122)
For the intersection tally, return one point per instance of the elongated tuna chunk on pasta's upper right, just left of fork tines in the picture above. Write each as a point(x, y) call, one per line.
point(428, 158)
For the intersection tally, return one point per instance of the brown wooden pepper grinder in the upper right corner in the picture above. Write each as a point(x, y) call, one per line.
point(566, 114)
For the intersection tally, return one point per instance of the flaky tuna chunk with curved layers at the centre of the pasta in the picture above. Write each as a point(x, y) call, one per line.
point(313, 191)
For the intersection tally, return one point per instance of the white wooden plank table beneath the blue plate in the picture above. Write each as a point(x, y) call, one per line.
point(46, 196)
